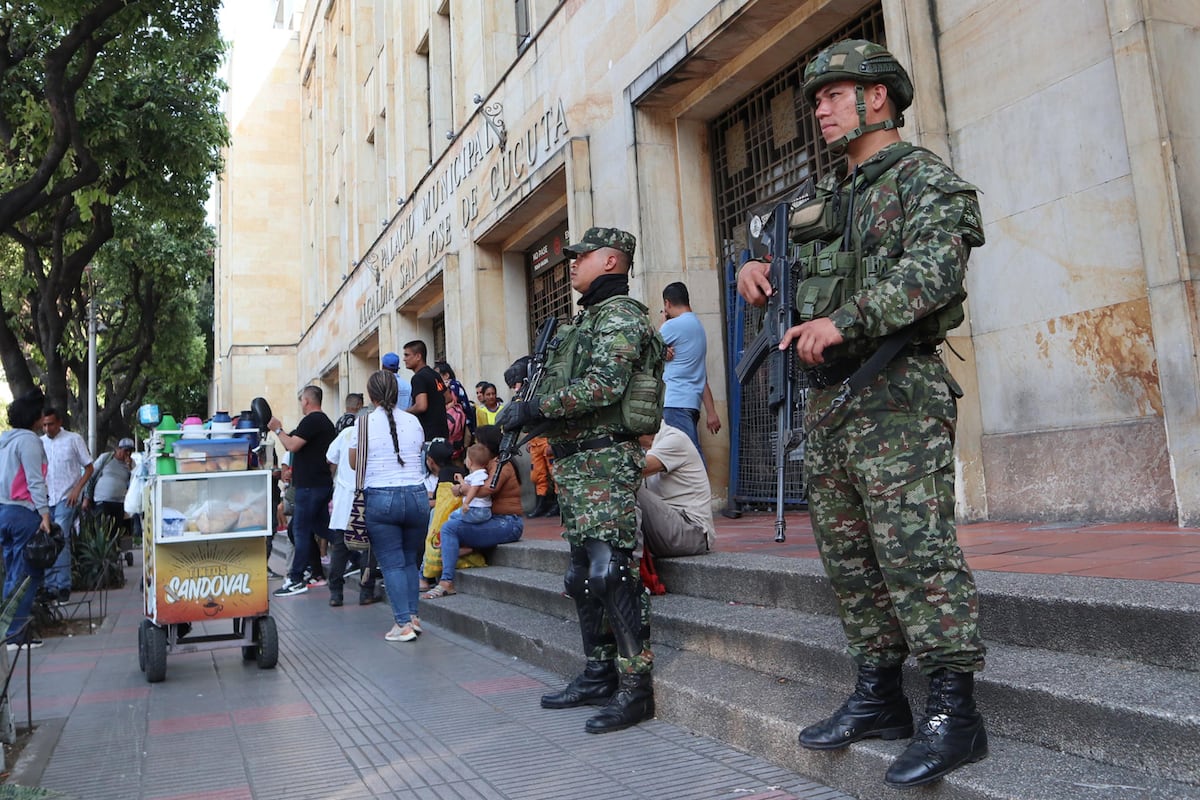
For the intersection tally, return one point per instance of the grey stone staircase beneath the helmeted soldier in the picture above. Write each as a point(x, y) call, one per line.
point(1093, 689)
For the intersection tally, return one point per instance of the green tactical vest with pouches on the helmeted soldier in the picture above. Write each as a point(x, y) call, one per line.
point(833, 270)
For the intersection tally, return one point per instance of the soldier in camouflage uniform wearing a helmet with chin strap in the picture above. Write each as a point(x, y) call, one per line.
point(881, 470)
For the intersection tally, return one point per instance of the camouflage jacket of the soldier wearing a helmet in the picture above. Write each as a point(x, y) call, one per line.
point(927, 219)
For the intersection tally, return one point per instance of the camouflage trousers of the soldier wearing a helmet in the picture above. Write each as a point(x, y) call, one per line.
point(880, 479)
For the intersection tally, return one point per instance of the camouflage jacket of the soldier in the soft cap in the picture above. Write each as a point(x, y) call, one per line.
point(610, 340)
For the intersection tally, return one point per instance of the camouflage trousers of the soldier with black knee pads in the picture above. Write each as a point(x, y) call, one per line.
point(597, 494)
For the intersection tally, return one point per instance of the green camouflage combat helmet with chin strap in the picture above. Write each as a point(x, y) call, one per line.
point(865, 63)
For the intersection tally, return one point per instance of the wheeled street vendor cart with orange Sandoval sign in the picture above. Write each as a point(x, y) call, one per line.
point(207, 519)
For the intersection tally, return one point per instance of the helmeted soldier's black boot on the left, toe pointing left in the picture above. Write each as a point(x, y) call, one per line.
point(877, 708)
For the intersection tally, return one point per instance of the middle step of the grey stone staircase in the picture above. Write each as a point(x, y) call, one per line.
point(1079, 705)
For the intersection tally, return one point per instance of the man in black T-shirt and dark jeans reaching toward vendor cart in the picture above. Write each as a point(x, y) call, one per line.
point(313, 482)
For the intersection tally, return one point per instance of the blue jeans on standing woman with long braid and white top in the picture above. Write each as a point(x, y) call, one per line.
point(398, 519)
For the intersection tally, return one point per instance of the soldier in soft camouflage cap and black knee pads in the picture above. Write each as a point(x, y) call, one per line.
point(598, 466)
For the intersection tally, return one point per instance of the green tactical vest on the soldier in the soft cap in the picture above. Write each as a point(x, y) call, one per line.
point(640, 410)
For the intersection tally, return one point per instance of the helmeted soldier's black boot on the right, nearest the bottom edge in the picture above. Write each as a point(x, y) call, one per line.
point(951, 736)
